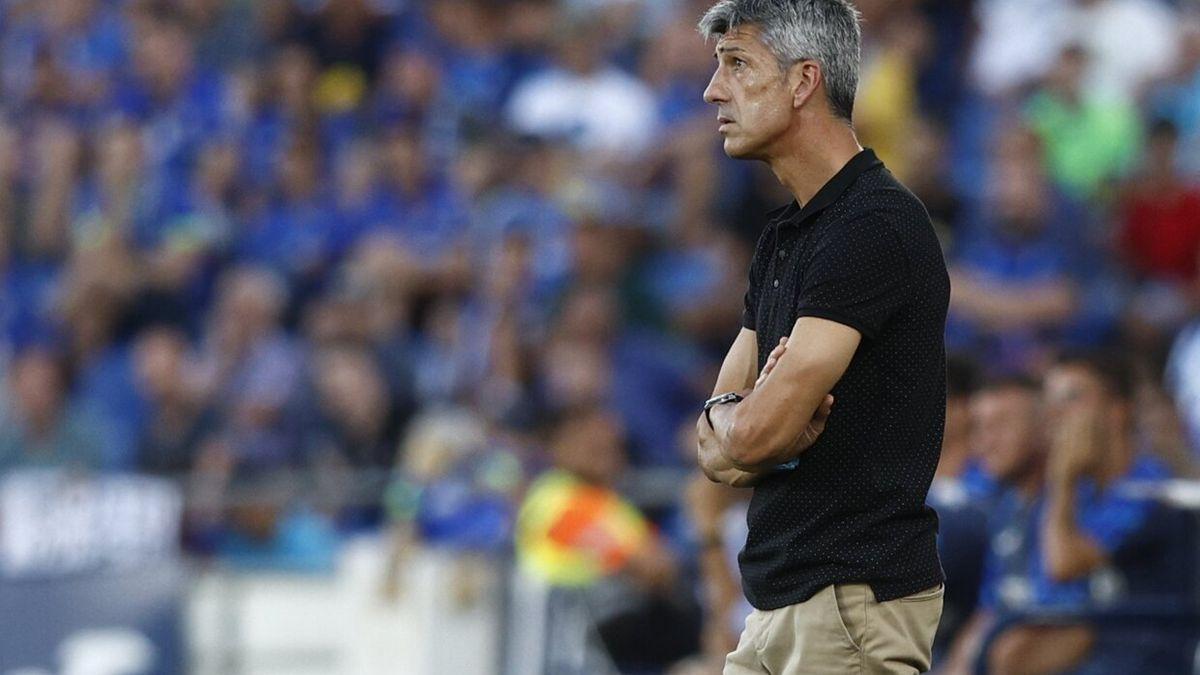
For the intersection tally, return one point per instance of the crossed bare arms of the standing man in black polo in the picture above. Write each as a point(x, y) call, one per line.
point(785, 407)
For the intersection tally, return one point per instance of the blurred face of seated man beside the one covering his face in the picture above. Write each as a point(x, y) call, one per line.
point(1004, 431)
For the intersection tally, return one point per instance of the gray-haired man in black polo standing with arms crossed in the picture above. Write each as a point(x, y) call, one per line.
point(832, 401)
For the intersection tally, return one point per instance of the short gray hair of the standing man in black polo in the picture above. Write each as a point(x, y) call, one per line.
point(824, 31)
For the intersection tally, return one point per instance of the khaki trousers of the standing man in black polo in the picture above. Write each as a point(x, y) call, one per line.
point(841, 631)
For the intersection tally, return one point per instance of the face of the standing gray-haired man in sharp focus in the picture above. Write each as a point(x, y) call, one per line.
point(752, 94)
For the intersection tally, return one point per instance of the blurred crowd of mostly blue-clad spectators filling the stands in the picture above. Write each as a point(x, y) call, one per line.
point(344, 265)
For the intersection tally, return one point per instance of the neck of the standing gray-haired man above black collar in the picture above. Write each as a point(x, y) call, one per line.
point(811, 160)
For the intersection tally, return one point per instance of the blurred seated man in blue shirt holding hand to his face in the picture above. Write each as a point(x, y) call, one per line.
point(1053, 535)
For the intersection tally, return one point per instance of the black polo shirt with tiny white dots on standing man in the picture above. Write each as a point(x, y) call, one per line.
point(861, 253)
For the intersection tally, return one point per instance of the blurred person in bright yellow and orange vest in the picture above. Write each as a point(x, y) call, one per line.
point(575, 530)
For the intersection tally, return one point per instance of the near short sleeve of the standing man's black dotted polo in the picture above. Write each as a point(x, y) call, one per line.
point(859, 277)
